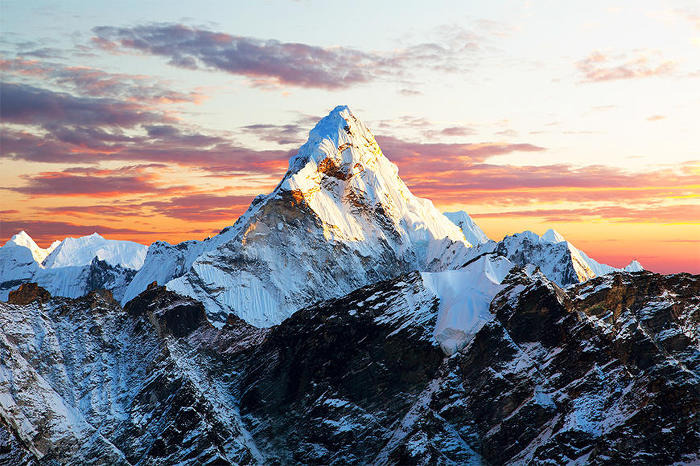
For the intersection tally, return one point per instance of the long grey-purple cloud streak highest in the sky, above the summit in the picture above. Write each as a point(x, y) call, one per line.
point(286, 63)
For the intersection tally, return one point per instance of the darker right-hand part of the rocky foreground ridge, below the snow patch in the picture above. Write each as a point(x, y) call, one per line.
point(542, 382)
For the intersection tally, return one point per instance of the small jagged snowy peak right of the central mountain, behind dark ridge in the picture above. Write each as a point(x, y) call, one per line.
point(559, 260)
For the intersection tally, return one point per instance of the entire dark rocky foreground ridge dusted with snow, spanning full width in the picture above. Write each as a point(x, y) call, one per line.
point(603, 373)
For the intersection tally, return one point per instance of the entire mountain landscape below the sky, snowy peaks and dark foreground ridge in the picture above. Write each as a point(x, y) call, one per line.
point(343, 320)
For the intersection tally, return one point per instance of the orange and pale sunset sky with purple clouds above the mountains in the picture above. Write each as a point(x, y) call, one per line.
point(162, 120)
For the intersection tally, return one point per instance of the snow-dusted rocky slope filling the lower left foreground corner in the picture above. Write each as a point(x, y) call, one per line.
point(83, 382)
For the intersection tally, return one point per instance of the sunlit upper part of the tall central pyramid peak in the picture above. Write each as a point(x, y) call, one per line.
point(341, 172)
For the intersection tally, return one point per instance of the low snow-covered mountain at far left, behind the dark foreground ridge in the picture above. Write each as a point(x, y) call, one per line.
point(71, 267)
